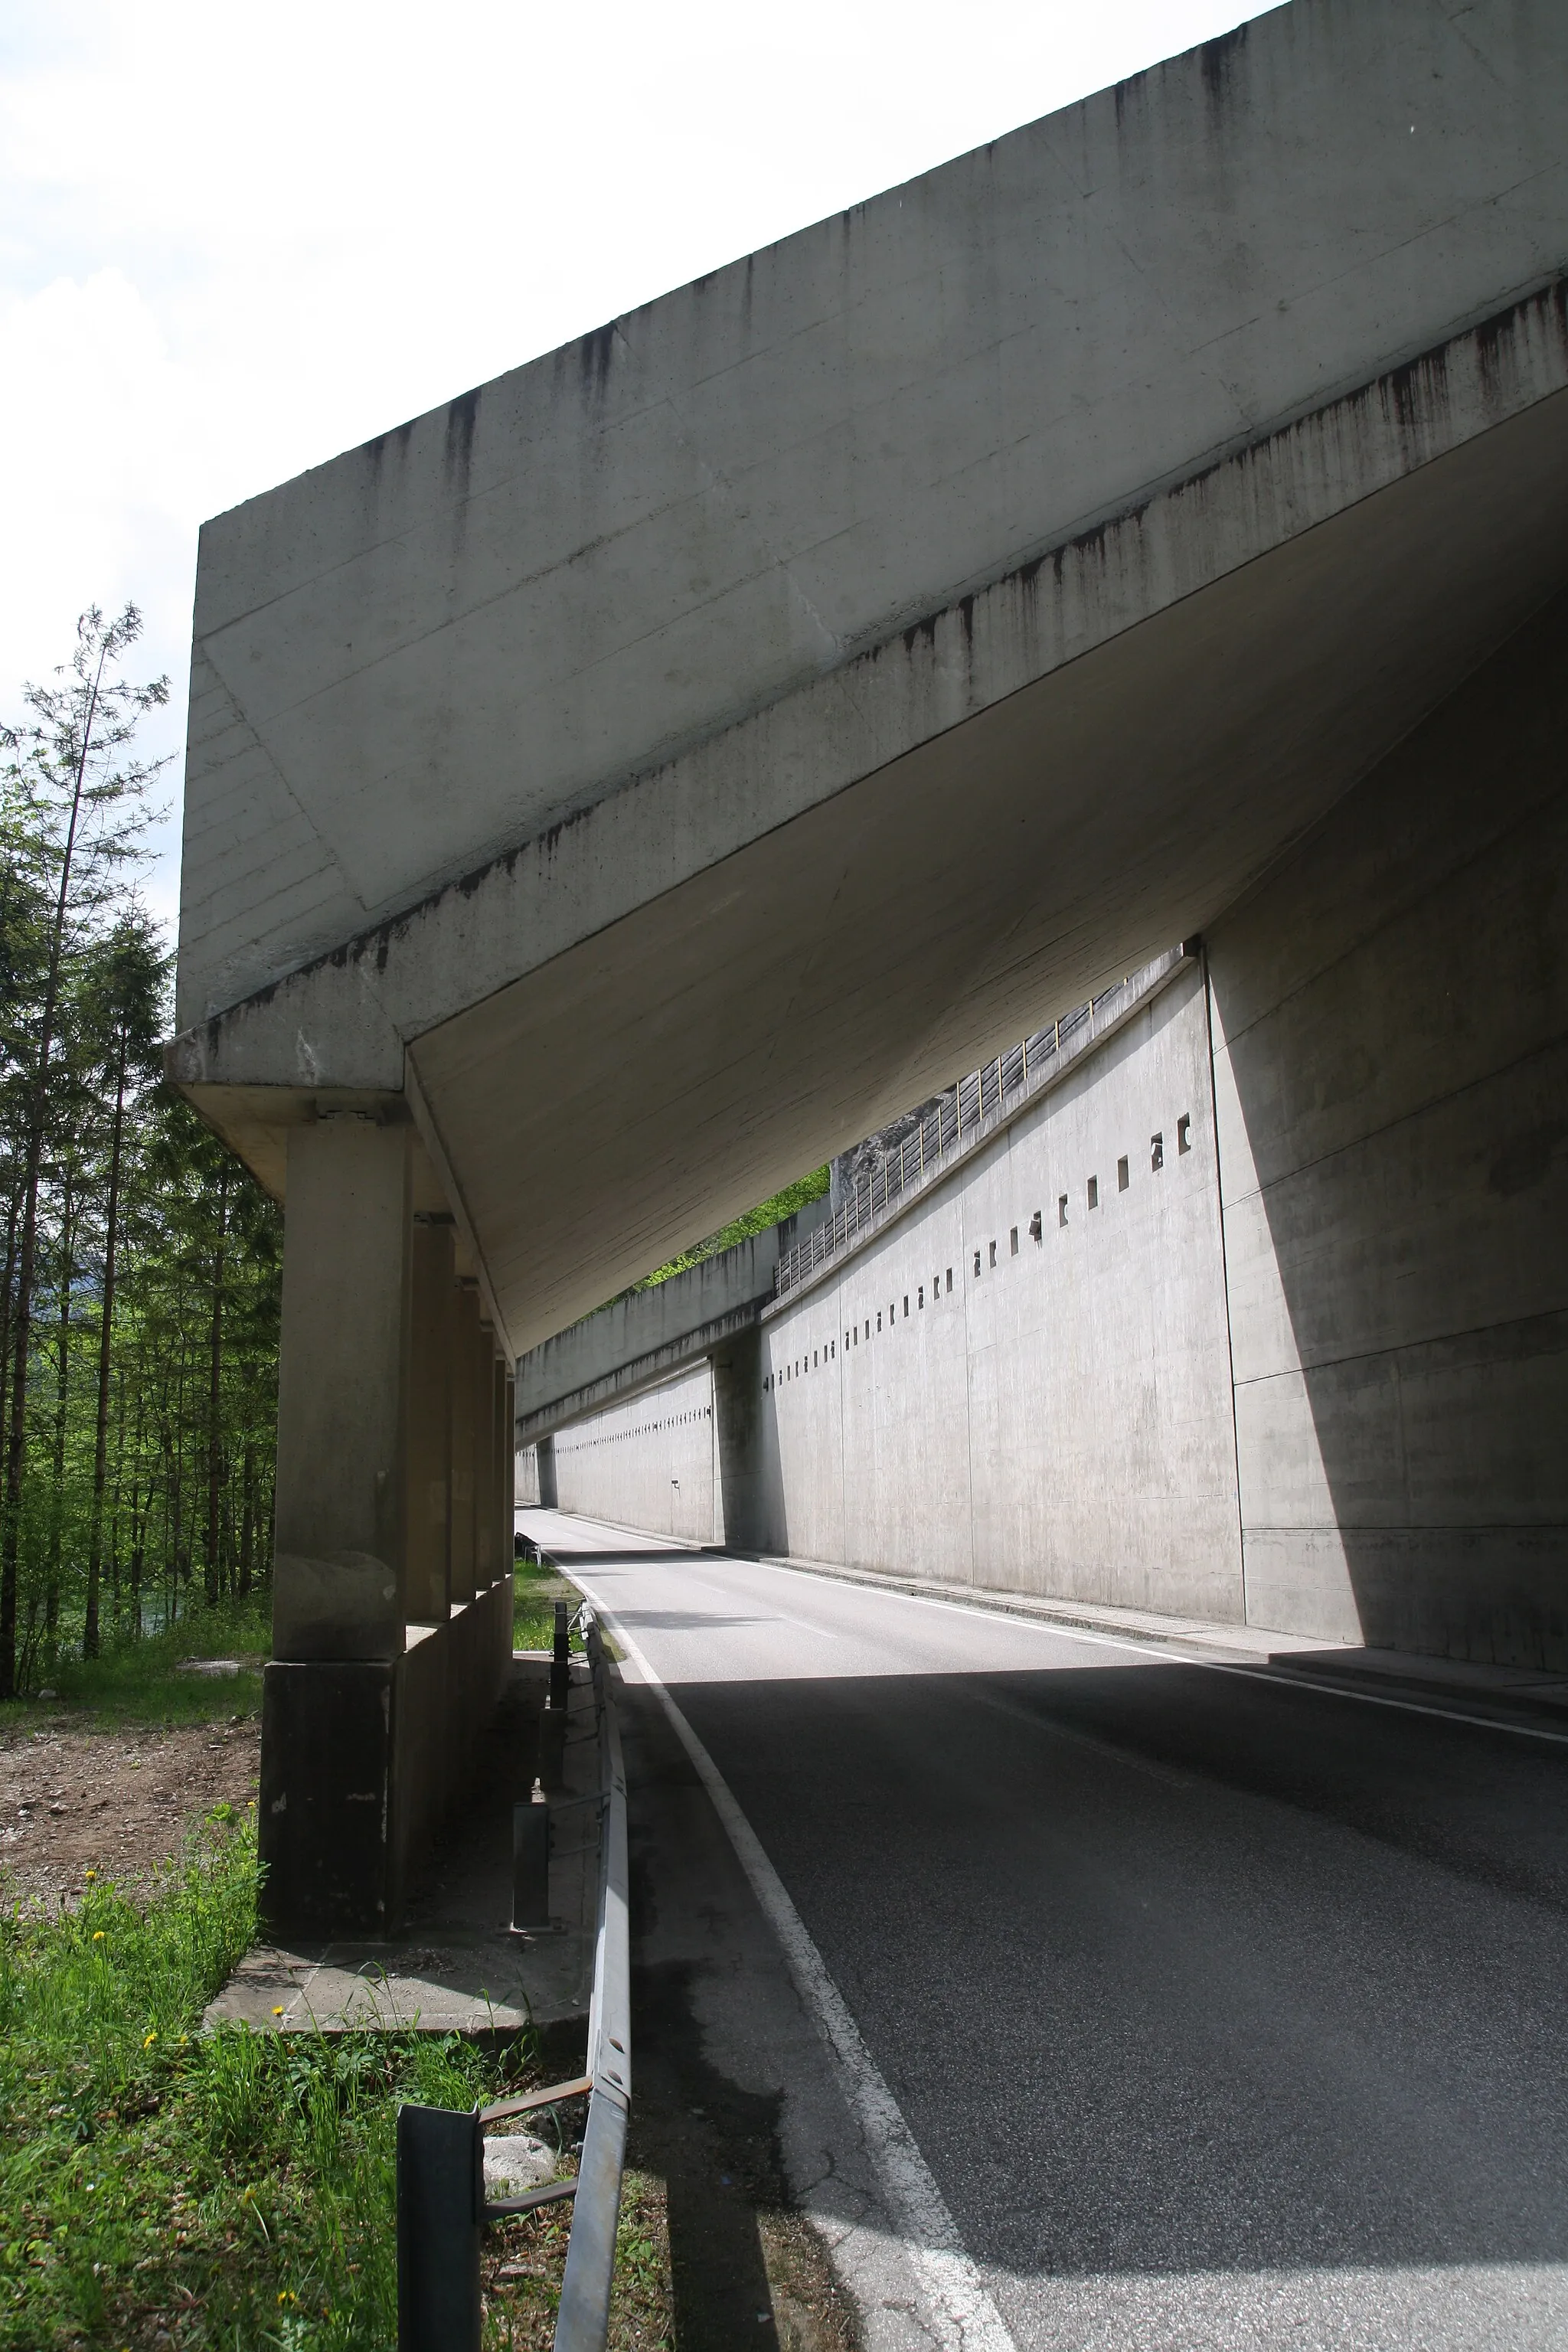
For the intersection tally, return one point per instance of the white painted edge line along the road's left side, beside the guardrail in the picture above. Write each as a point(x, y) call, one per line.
point(960, 2308)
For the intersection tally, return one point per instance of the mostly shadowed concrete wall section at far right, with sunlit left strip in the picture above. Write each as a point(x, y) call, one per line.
point(1393, 1083)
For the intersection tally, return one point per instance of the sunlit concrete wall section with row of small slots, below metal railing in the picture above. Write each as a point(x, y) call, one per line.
point(1019, 1389)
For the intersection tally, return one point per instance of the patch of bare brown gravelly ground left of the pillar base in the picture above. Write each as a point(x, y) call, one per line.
point(119, 1803)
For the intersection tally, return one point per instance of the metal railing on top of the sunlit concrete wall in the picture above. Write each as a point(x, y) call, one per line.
point(963, 1118)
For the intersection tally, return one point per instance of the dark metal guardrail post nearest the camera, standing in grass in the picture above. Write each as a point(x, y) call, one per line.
point(441, 2205)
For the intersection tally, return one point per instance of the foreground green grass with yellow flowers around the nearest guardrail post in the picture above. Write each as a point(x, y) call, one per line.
point(232, 2191)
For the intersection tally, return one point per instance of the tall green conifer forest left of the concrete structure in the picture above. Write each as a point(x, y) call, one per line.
point(142, 1264)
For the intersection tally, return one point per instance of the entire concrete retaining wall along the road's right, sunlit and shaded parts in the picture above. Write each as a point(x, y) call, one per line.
point(1311, 1370)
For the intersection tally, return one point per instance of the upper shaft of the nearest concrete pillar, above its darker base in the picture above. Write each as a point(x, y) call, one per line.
point(342, 1351)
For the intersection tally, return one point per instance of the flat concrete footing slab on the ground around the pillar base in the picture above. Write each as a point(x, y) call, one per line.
point(457, 1965)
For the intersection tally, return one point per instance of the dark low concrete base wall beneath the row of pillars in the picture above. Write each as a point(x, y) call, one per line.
point(361, 1760)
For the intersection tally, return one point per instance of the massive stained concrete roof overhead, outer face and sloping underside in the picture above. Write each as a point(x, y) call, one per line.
point(678, 756)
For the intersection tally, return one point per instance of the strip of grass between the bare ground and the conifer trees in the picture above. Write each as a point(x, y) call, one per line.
point(140, 1683)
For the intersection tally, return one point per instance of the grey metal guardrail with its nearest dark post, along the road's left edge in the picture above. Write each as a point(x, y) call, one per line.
point(441, 2153)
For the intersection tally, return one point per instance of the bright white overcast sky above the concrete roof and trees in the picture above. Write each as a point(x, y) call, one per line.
point(241, 239)
